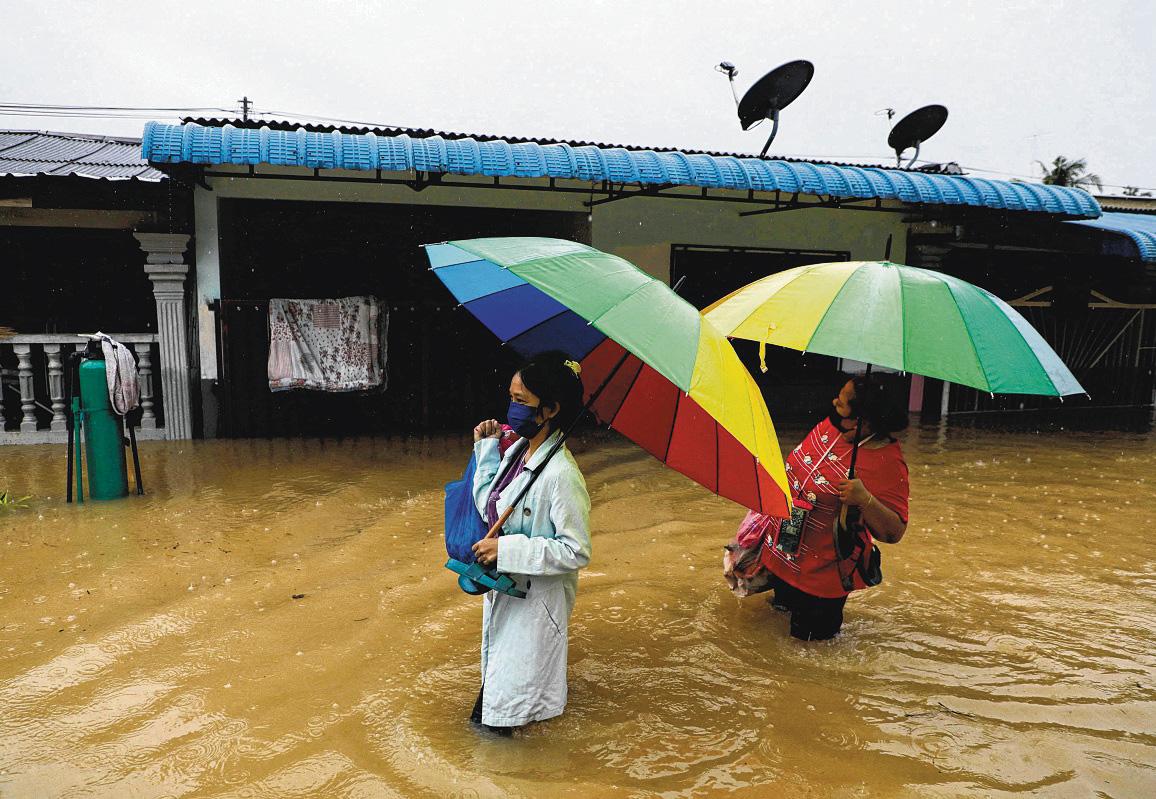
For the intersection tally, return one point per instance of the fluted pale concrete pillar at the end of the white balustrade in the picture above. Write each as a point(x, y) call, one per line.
point(166, 268)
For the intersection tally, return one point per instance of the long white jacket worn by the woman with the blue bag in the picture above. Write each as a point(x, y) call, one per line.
point(543, 546)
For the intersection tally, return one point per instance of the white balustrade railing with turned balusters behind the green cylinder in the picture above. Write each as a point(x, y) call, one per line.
point(33, 367)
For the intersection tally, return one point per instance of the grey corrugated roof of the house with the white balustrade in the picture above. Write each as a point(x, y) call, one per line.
point(28, 153)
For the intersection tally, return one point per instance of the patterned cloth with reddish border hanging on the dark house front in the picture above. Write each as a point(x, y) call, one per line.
point(328, 345)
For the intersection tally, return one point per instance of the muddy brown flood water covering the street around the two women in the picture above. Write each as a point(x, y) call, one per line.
point(154, 647)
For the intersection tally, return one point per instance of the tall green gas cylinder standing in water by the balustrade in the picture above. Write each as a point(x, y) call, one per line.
point(108, 476)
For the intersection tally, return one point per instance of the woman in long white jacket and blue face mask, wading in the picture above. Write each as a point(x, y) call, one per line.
point(543, 546)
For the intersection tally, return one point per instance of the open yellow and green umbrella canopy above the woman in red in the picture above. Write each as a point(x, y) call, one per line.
point(891, 315)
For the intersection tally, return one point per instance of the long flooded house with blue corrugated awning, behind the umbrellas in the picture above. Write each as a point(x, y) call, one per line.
point(286, 211)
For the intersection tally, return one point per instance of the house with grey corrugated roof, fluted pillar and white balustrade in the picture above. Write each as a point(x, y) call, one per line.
point(79, 216)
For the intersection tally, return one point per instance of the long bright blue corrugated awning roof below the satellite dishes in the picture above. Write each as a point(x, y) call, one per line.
point(228, 145)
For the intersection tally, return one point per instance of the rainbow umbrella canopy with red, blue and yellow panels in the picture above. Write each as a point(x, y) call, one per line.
point(670, 381)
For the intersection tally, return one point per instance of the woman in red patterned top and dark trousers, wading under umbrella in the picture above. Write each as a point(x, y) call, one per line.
point(811, 581)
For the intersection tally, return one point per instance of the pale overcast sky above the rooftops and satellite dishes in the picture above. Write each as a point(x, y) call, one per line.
point(1024, 80)
